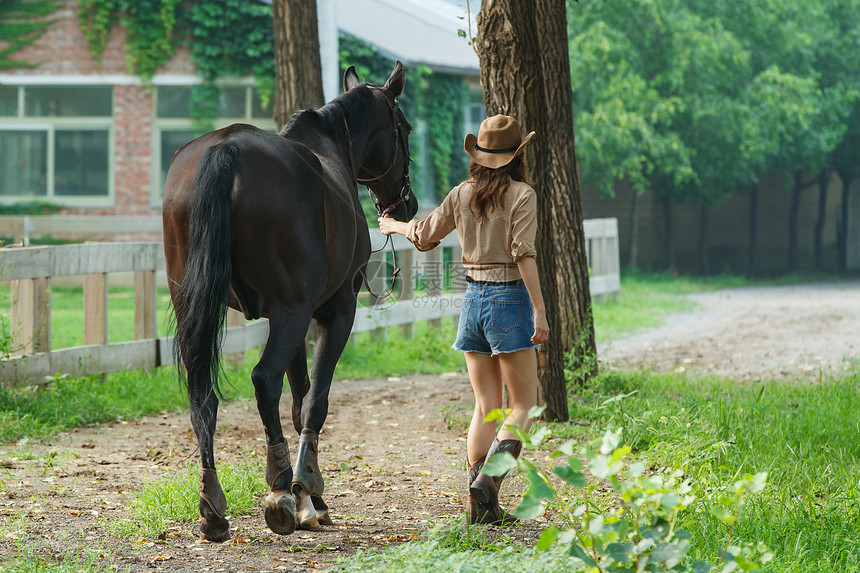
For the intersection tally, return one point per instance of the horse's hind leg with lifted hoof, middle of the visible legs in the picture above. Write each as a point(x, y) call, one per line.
point(286, 336)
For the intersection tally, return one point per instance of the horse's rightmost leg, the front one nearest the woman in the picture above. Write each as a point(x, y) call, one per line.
point(333, 329)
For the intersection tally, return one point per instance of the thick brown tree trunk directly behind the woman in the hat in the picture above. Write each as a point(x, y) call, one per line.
point(512, 77)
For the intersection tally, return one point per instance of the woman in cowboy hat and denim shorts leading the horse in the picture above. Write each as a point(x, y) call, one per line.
point(503, 317)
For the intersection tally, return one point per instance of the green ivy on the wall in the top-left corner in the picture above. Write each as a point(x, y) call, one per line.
point(21, 23)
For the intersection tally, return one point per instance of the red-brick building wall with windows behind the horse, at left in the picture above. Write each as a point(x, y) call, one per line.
point(95, 138)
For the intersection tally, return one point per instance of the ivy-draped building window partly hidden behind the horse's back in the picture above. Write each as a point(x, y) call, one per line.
point(172, 124)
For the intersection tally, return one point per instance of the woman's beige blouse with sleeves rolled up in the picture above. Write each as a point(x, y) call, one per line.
point(491, 248)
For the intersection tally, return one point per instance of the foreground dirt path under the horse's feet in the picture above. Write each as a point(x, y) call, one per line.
point(390, 461)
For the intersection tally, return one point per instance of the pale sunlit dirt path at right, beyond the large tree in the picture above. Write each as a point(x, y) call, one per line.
point(781, 332)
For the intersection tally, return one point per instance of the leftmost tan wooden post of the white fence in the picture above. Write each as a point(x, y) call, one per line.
point(30, 316)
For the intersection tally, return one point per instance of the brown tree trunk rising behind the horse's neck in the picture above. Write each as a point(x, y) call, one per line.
point(297, 57)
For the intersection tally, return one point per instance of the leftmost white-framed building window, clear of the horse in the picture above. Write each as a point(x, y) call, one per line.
point(56, 143)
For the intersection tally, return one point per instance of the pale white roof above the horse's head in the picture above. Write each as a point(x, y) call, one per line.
point(414, 31)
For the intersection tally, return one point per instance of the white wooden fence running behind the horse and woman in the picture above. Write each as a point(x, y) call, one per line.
point(29, 271)
